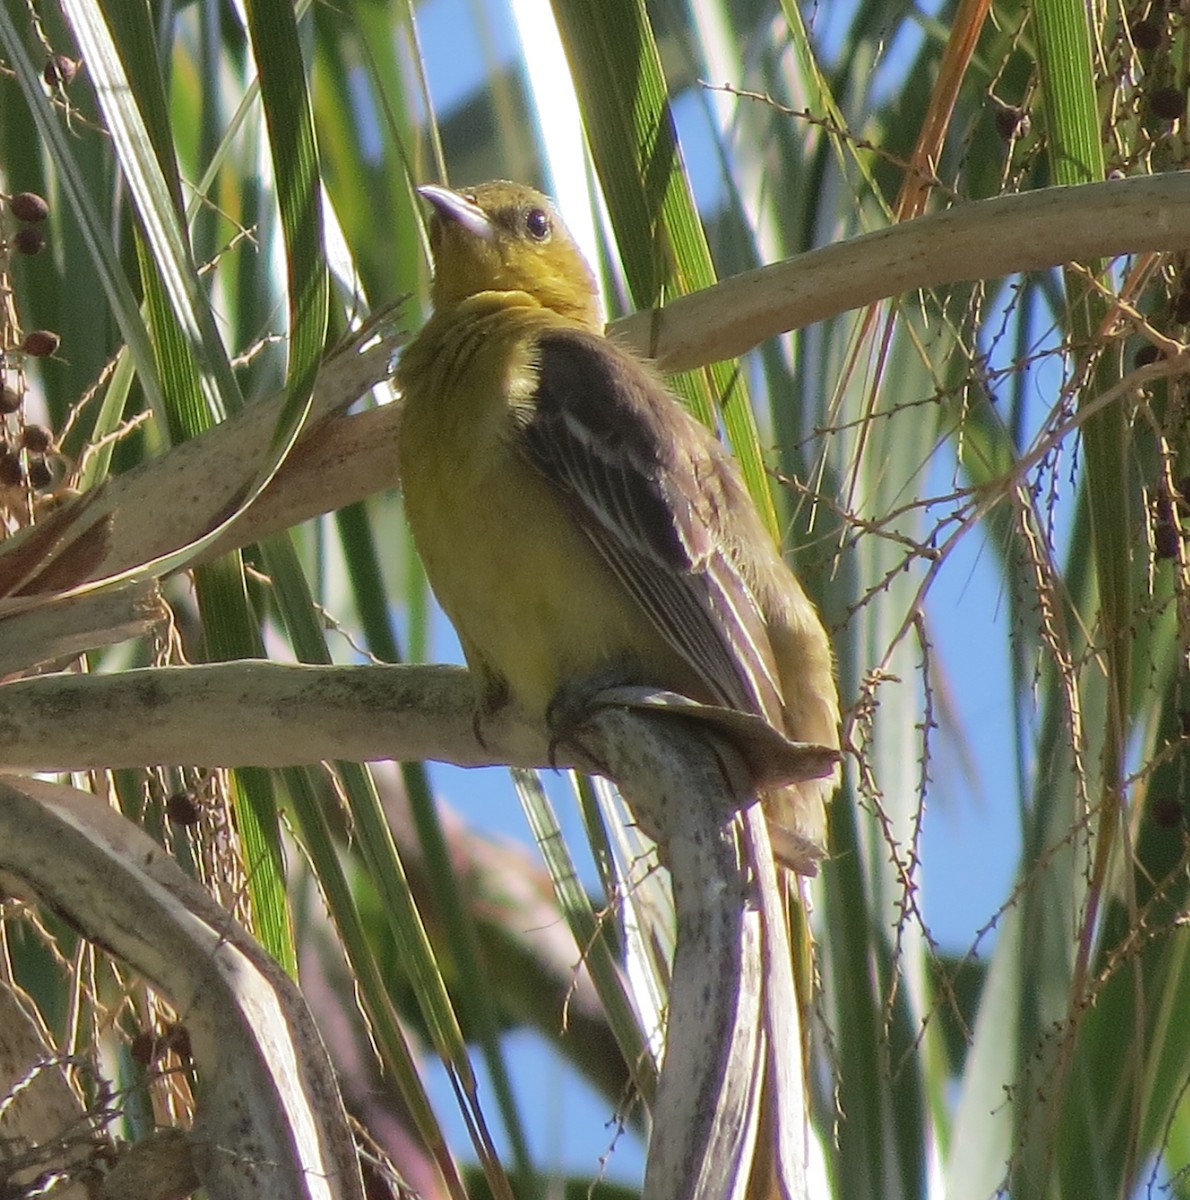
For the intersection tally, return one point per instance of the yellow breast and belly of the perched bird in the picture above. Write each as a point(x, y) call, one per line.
point(533, 602)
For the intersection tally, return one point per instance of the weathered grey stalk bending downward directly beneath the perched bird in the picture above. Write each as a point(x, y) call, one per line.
point(731, 1106)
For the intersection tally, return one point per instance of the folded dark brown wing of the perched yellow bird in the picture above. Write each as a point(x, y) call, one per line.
point(656, 495)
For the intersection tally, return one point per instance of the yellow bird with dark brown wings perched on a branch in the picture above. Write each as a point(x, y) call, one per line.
point(579, 527)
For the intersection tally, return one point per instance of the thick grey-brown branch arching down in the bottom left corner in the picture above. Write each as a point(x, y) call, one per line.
point(271, 1121)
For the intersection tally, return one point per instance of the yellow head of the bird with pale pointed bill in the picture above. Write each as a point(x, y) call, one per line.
point(504, 237)
